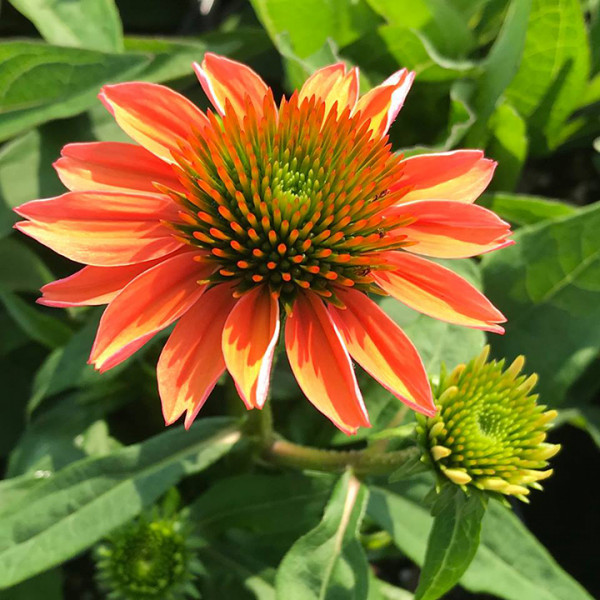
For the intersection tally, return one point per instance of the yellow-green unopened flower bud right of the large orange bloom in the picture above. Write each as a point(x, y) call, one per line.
point(489, 431)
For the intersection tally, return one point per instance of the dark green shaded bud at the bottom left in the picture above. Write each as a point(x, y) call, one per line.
point(146, 560)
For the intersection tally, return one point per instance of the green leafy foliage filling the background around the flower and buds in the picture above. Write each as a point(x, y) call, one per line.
point(84, 453)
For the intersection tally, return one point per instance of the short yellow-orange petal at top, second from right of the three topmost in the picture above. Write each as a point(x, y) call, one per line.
point(332, 84)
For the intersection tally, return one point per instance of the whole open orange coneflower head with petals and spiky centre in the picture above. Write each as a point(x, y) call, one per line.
point(261, 213)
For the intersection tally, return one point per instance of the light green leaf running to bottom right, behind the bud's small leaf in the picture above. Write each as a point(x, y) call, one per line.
point(509, 563)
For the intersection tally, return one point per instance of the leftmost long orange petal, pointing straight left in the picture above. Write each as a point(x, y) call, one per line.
point(104, 229)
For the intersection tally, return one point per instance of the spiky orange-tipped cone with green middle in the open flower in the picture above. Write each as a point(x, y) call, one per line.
point(292, 198)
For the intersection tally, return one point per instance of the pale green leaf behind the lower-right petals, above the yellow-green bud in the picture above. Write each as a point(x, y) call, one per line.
point(439, 342)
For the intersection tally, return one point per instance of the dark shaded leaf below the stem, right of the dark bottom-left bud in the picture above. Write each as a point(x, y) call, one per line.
point(261, 503)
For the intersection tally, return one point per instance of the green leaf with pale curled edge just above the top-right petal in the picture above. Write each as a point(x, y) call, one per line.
point(385, 50)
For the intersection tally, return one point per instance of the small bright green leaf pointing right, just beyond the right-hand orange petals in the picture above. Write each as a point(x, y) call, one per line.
point(521, 209)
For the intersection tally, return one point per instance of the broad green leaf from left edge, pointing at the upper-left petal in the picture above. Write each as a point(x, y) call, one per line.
point(40, 82)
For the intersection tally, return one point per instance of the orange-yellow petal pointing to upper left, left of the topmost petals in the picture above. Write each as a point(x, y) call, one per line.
point(153, 115)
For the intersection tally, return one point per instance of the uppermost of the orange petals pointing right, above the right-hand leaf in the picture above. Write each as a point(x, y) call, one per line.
point(461, 175)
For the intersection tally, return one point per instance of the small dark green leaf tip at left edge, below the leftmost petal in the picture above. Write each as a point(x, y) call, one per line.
point(22, 269)
